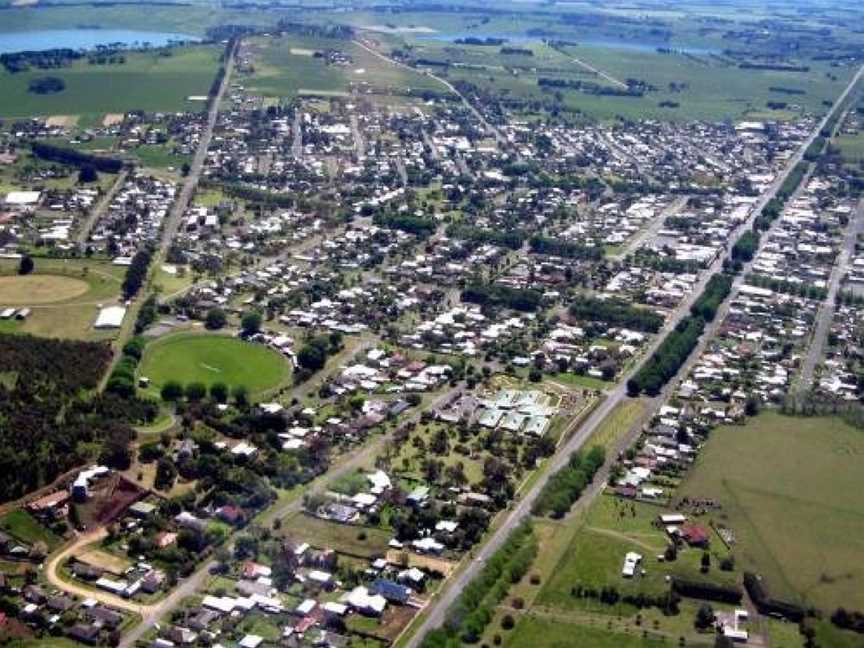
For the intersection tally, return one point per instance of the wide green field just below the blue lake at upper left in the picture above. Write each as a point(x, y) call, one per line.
point(147, 81)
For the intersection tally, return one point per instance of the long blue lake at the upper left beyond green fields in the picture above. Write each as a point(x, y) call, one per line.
point(86, 39)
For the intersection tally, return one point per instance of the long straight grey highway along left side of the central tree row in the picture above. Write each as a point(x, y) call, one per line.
point(436, 613)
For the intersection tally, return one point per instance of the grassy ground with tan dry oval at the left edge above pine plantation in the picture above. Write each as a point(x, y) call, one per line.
point(67, 297)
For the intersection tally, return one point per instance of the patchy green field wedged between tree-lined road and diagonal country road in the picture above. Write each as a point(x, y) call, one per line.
point(284, 69)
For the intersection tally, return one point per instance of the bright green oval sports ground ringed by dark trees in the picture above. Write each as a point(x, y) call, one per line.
point(210, 359)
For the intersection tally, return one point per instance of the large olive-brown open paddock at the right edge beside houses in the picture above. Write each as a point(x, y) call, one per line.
point(791, 493)
